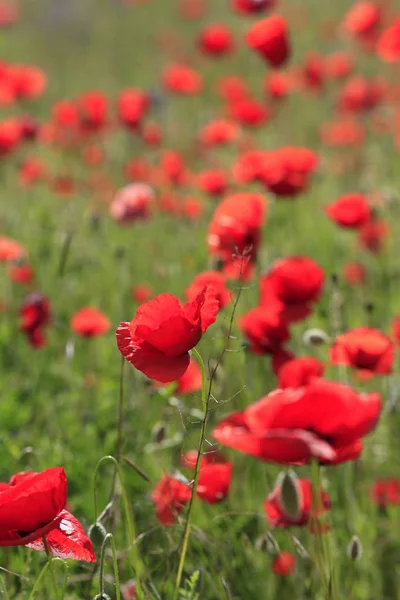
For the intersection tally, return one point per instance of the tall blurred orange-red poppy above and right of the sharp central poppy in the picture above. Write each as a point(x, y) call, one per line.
point(234, 232)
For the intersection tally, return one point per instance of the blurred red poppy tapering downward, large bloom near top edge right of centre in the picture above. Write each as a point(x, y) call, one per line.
point(270, 39)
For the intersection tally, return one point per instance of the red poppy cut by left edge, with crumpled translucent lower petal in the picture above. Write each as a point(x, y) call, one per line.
point(32, 507)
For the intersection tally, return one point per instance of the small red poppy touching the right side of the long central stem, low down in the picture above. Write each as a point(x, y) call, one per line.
point(214, 482)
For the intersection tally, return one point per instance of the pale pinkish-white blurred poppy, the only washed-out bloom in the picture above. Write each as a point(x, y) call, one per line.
point(132, 202)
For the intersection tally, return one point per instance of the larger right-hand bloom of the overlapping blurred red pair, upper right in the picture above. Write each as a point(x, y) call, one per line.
point(286, 171)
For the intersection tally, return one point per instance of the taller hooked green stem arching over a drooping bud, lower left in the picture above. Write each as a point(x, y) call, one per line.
point(135, 557)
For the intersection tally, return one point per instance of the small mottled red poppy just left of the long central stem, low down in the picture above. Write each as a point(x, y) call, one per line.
point(170, 497)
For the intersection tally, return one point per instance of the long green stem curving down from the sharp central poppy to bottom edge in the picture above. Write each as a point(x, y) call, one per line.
point(186, 533)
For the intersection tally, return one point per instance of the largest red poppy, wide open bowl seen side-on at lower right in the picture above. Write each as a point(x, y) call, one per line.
point(324, 420)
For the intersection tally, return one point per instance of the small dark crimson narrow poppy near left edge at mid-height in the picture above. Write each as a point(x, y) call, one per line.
point(34, 316)
